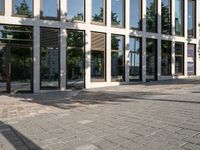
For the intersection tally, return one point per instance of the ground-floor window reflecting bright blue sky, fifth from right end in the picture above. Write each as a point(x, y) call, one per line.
point(135, 59)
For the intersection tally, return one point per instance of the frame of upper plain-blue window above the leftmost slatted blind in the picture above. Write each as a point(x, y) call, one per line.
point(57, 18)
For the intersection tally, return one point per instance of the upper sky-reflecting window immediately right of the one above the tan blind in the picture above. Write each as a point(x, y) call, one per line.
point(117, 13)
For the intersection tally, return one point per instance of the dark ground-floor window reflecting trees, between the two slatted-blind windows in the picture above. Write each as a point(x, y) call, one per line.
point(75, 58)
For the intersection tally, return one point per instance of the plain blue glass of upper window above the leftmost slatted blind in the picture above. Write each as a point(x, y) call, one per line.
point(50, 8)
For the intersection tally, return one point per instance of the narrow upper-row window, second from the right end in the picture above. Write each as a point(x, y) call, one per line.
point(179, 17)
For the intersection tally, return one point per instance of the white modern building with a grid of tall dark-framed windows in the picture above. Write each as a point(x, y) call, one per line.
point(59, 44)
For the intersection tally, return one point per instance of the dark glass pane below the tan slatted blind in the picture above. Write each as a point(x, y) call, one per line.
point(97, 65)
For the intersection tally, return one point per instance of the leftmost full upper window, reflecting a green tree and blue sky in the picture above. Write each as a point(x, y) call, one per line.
point(23, 8)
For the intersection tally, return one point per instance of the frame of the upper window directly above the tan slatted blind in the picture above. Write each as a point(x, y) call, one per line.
point(104, 14)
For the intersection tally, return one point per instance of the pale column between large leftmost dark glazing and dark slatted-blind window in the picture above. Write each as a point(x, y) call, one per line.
point(36, 59)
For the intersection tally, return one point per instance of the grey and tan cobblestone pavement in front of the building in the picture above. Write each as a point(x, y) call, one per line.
point(162, 115)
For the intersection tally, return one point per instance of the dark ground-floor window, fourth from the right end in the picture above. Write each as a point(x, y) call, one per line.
point(151, 59)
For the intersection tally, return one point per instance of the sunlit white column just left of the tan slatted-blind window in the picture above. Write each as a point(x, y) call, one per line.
point(87, 58)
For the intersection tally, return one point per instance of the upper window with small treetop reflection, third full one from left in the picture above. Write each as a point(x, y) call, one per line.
point(75, 10)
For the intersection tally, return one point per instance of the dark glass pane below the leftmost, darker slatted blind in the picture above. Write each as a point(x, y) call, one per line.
point(49, 69)
